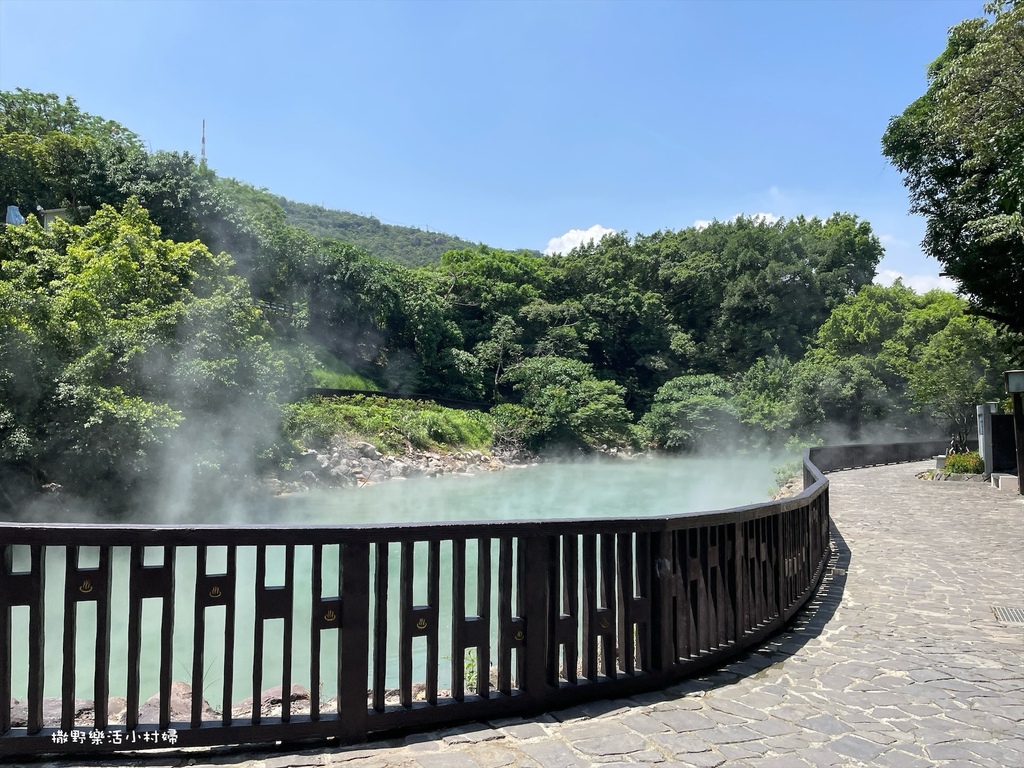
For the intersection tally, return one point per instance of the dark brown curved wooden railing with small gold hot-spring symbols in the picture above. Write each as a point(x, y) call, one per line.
point(367, 633)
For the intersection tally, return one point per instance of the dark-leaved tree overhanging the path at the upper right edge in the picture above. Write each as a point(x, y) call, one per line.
point(961, 148)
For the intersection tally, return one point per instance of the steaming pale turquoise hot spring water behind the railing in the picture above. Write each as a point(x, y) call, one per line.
point(638, 488)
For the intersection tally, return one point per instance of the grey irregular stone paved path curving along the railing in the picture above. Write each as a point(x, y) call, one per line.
point(900, 662)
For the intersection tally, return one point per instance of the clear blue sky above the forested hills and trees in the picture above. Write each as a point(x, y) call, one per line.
point(515, 123)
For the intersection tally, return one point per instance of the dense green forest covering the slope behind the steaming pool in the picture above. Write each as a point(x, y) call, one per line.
point(135, 352)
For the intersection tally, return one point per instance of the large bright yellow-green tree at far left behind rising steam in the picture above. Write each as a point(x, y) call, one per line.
point(117, 346)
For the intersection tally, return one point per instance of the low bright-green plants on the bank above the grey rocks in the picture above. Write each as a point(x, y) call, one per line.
point(391, 425)
